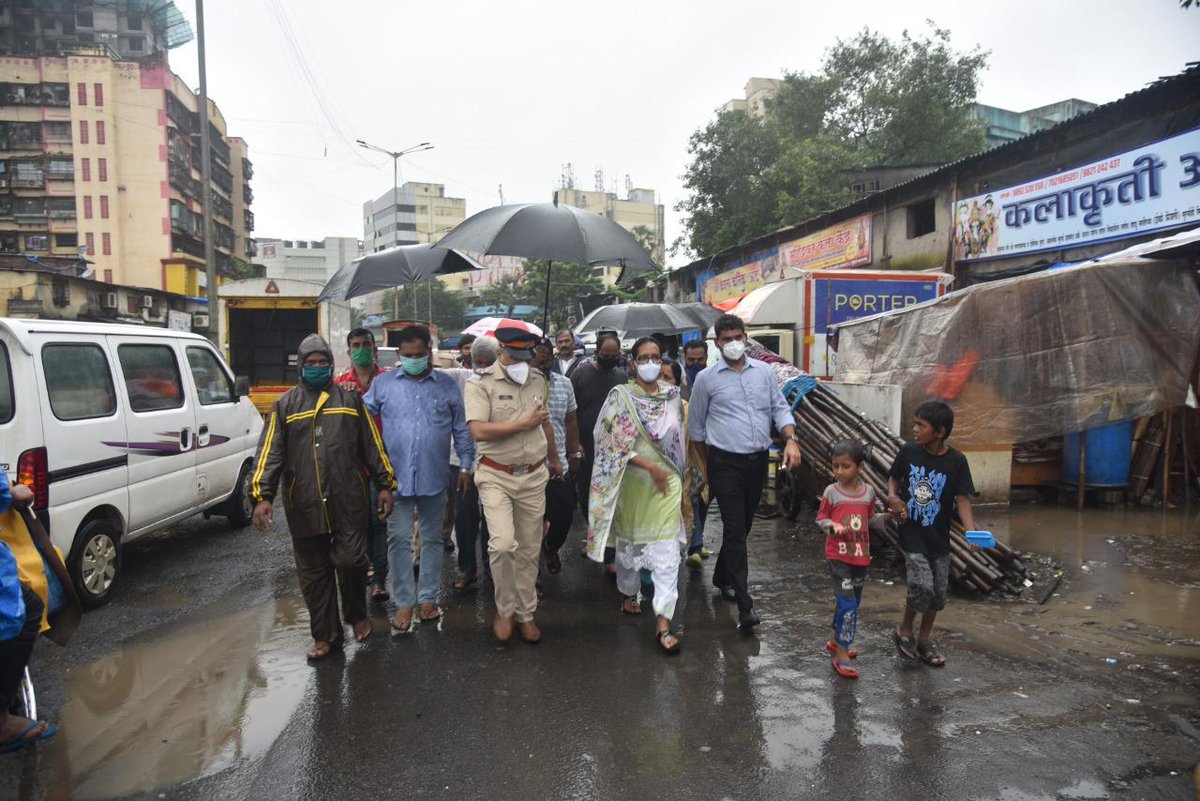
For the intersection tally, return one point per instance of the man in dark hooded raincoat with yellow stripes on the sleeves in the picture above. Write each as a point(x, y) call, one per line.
point(323, 444)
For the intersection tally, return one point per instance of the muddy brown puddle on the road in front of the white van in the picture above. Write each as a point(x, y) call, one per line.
point(185, 703)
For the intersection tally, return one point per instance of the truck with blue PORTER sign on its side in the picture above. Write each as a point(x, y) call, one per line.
point(793, 317)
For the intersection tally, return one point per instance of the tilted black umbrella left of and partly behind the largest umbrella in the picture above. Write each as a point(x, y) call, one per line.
point(398, 266)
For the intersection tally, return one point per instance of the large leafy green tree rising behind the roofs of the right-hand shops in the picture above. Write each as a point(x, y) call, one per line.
point(874, 103)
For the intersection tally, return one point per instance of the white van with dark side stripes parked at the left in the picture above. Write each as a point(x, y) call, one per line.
point(119, 431)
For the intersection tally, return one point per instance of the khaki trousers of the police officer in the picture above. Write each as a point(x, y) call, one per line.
point(514, 508)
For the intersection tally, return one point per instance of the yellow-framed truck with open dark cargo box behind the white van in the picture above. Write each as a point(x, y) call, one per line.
point(263, 322)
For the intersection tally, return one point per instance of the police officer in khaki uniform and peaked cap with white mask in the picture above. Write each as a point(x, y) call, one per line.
point(509, 423)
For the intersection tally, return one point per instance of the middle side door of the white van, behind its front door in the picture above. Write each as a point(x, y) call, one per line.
point(161, 425)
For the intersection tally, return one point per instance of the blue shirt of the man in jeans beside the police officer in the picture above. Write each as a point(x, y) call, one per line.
point(419, 420)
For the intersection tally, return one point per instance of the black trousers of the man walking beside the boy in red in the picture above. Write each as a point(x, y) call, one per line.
point(737, 481)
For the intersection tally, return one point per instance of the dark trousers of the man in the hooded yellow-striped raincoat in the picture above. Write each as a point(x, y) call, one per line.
point(328, 567)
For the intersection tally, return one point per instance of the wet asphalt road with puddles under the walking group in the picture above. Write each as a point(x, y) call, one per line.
point(193, 685)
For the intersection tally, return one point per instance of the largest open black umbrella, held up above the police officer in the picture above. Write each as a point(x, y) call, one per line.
point(548, 231)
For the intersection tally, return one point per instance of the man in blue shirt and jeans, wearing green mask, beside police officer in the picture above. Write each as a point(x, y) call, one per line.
point(421, 409)
